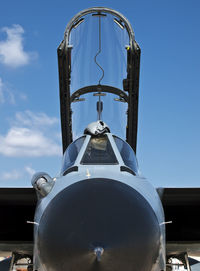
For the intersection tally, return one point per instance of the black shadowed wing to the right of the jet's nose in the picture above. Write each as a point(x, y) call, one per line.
point(182, 207)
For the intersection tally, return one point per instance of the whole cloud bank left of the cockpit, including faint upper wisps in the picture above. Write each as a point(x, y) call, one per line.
point(31, 135)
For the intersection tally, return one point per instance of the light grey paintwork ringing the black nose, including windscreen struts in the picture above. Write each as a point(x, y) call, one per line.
point(138, 183)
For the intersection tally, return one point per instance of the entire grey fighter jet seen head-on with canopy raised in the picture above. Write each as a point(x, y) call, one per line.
point(99, 214)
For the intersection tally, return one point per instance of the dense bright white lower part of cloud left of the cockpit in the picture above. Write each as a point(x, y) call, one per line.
point(25, 142)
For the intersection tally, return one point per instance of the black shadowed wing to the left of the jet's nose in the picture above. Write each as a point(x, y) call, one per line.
point(17, 206)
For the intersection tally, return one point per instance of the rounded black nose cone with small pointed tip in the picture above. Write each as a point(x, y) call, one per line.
point(98, 224)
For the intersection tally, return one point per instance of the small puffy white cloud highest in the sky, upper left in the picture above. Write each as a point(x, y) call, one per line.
point(12, 52)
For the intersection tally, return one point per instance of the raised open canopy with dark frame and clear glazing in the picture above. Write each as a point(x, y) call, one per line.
point(99, 74)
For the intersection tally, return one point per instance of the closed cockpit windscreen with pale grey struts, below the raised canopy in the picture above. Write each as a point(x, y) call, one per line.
point(98, 150)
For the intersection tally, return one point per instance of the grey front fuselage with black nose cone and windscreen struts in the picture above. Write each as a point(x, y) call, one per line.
point(100, 218)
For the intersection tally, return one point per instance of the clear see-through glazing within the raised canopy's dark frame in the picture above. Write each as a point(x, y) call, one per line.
point(98, 57)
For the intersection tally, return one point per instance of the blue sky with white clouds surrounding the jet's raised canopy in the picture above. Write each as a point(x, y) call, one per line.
point(169, 131)
